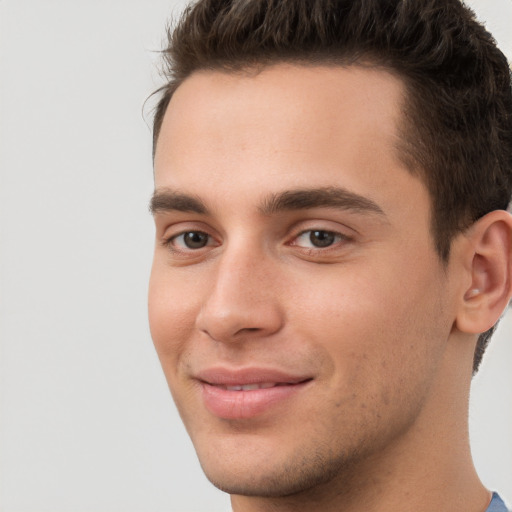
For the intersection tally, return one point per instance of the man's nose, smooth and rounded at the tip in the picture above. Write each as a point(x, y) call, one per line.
point(243, 299)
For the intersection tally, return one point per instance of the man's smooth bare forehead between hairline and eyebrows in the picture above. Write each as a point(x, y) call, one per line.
point(282, 126)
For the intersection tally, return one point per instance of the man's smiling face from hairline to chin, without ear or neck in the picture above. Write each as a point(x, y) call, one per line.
point(296, 302)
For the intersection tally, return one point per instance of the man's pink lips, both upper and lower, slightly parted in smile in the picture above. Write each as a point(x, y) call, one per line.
point(226, 403)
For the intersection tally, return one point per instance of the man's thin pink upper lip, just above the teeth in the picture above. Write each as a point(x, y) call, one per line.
point(220, 376)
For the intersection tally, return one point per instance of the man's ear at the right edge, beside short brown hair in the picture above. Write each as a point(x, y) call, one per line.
point(488, 265)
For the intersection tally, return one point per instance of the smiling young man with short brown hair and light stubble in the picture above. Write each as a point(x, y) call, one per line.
point(333, 250)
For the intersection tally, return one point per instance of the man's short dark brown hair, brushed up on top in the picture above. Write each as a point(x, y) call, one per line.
point(457, 132)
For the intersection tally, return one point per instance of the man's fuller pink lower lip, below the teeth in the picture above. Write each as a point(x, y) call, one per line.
point(232, 405)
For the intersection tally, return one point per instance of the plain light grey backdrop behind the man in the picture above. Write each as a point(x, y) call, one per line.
point(86, 420)
